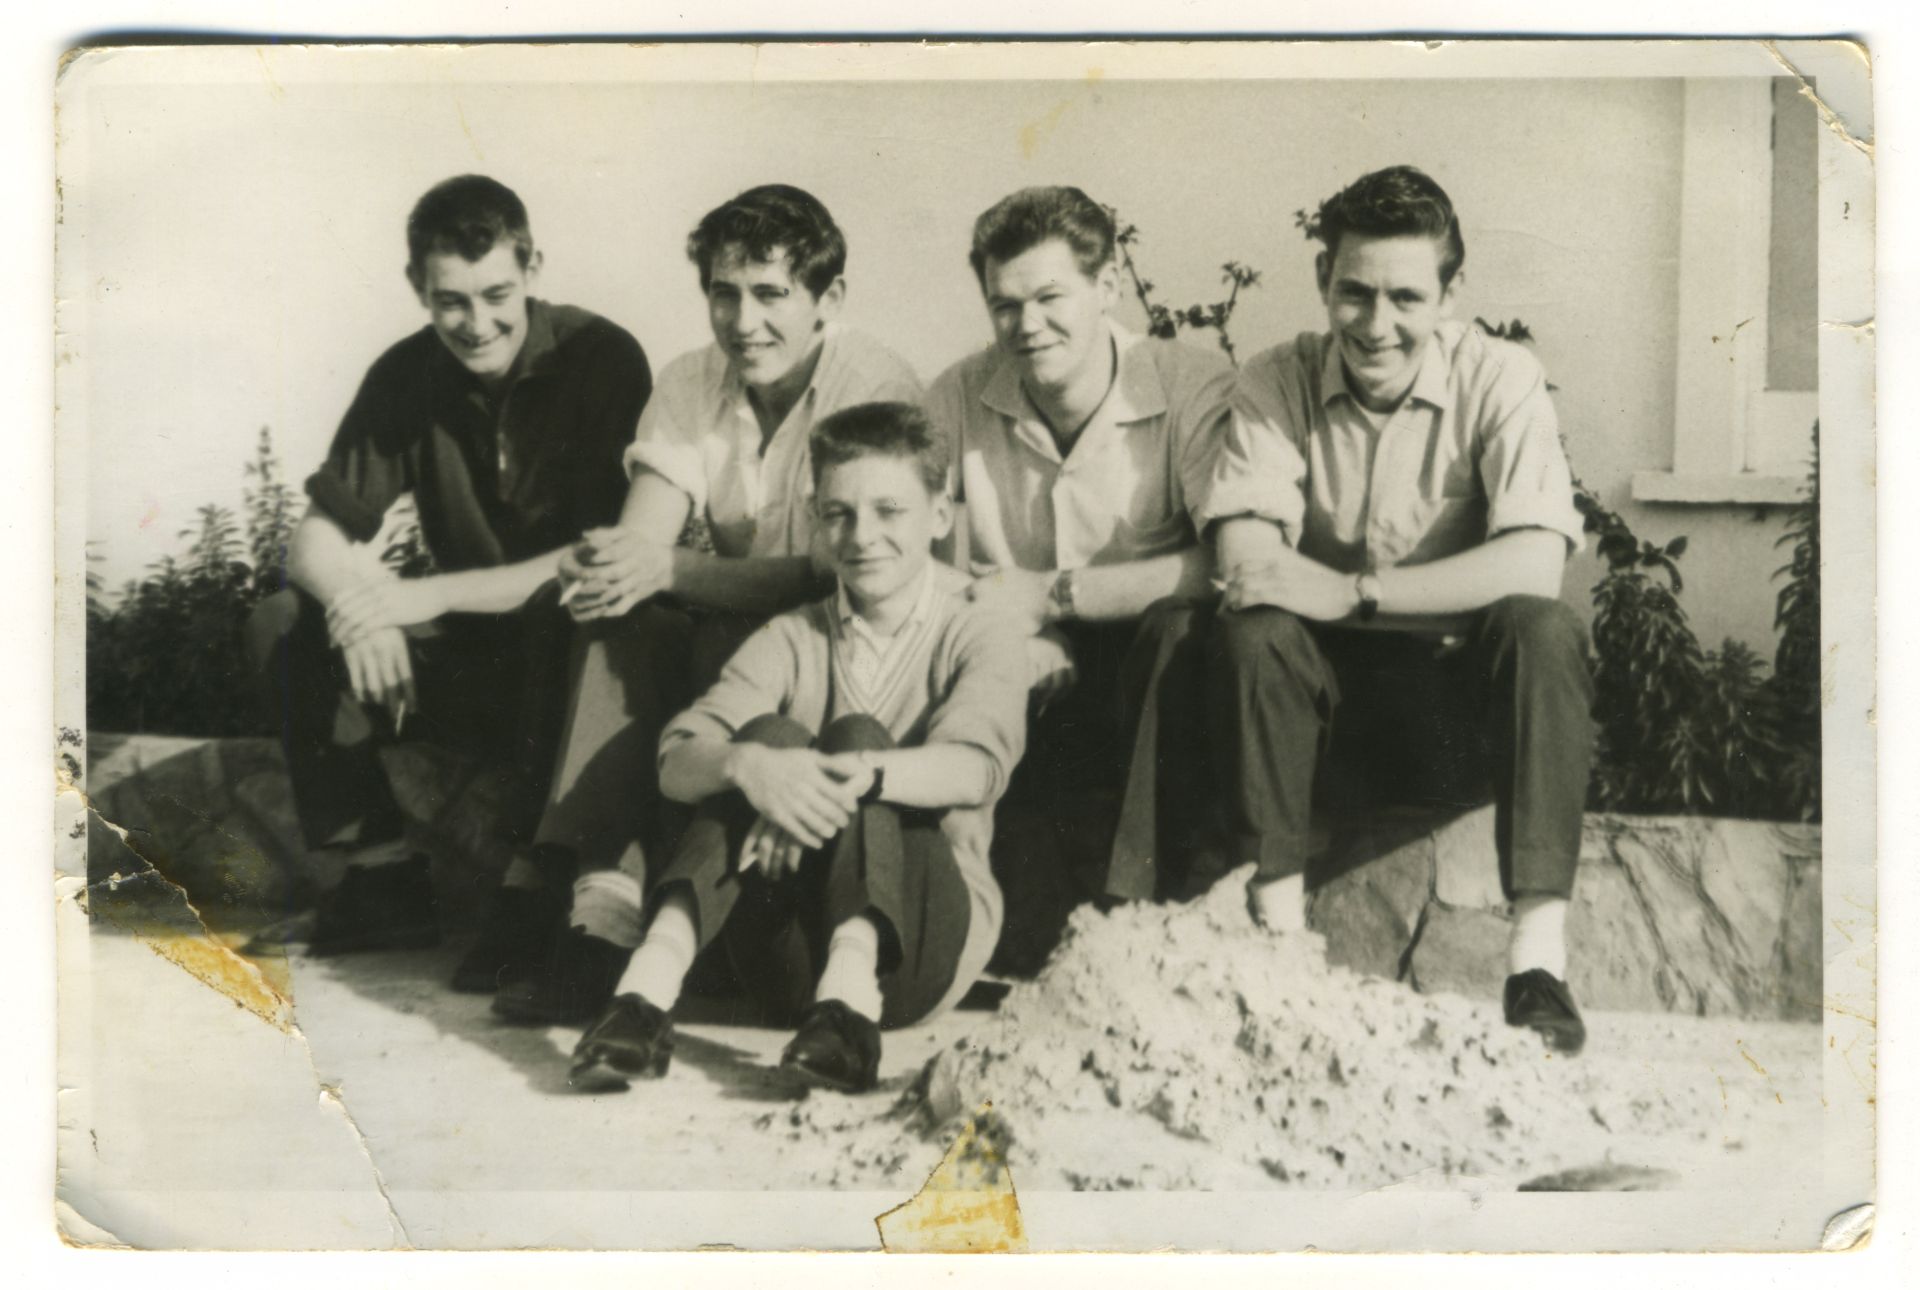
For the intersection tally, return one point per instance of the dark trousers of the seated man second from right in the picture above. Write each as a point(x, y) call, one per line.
point(1120, 763)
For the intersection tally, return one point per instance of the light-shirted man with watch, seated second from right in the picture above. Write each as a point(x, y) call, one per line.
point(1082, 450)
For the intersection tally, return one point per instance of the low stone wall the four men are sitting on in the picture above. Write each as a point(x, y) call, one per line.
point(1671, 915)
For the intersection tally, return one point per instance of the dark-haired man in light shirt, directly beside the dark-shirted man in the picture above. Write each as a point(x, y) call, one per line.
point(715, 537)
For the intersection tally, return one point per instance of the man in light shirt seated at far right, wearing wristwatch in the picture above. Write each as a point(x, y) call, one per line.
point(1393, 517)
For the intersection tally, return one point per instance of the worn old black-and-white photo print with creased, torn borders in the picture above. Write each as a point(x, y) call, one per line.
point(967, 648)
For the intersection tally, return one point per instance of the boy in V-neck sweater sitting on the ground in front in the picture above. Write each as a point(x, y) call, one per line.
point(846, 769)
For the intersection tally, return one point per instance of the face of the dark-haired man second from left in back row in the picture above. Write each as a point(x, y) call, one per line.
point(765, 320)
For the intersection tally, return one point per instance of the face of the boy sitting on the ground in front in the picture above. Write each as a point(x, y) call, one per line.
point(878, 523)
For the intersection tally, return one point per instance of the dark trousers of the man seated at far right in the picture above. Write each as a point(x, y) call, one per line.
point(1395, 717)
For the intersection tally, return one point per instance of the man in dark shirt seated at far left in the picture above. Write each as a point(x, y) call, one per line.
point(506, 418)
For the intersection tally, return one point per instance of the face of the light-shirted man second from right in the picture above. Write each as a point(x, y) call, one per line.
point(1047, 314)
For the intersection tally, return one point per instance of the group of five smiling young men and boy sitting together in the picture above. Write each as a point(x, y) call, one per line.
point(775, 636)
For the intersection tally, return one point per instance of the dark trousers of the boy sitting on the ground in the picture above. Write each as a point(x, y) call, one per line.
point(890, 863)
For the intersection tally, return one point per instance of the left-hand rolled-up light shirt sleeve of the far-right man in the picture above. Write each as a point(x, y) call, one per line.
point(1260, 469)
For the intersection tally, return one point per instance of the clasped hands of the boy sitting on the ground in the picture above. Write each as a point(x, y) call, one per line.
point(804, 800)
